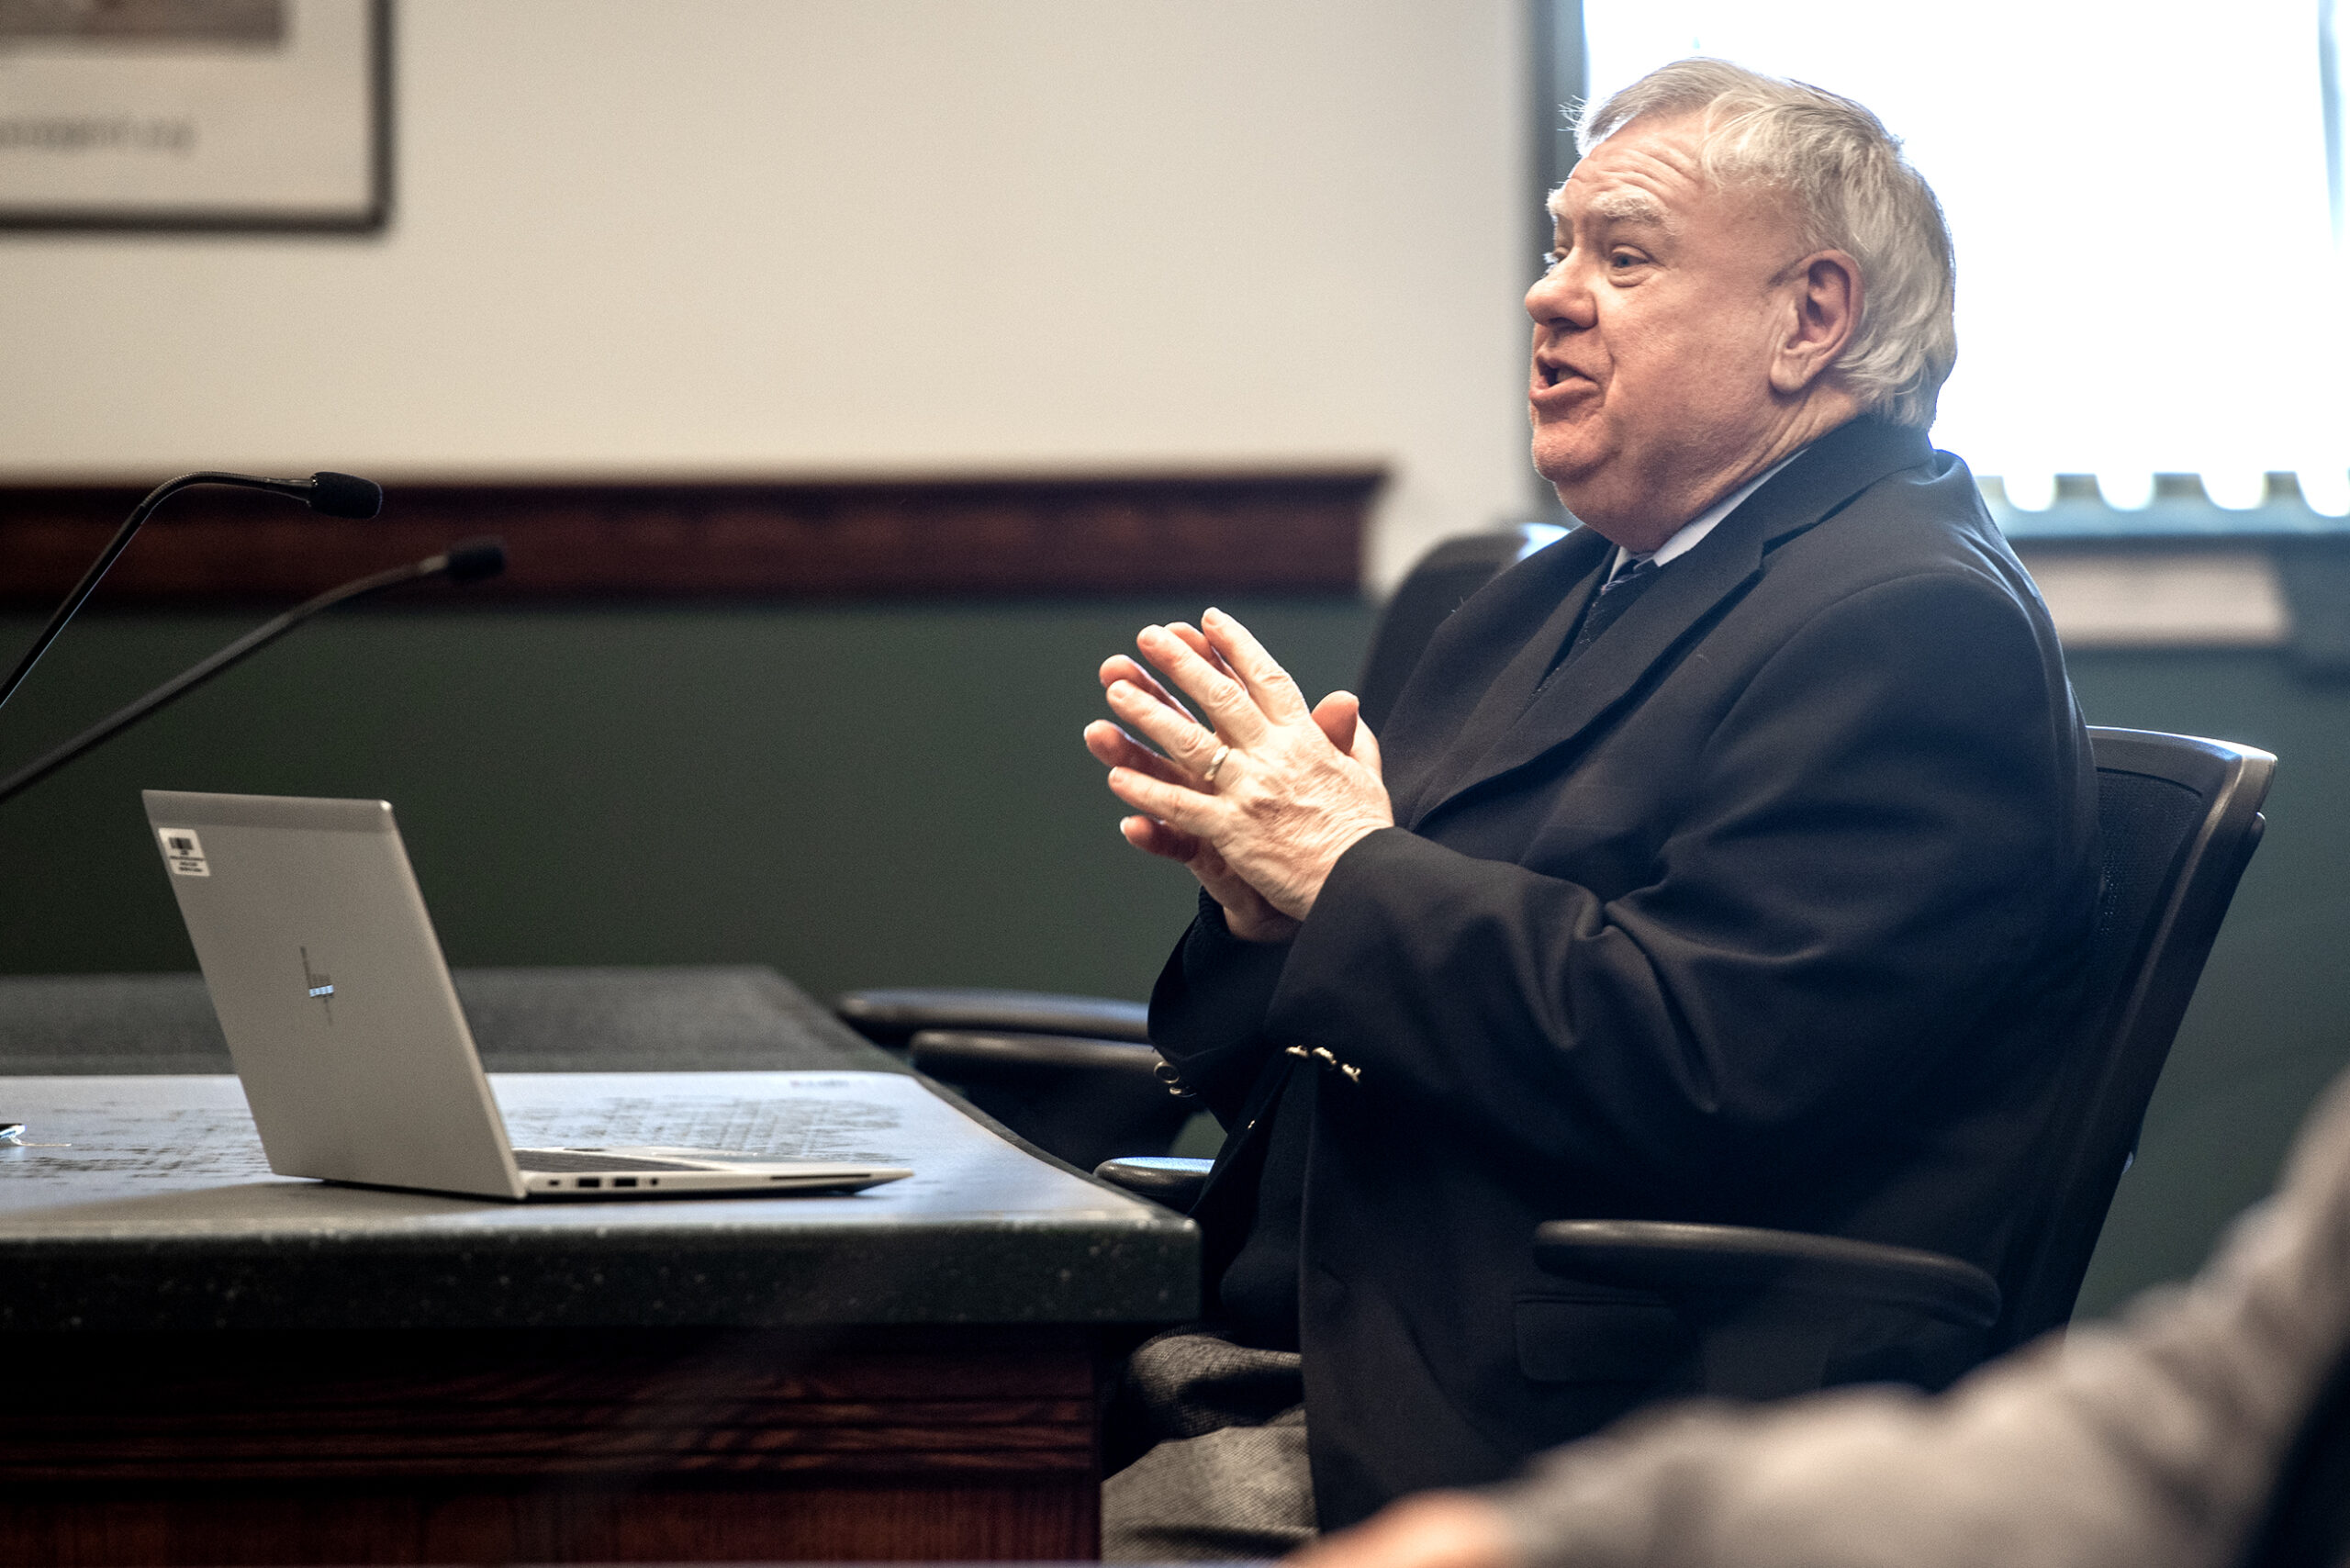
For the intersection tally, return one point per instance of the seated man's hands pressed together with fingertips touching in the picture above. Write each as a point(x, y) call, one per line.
point(1291, 791)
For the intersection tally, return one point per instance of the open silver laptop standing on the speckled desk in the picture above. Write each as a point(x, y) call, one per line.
point(349, 1036)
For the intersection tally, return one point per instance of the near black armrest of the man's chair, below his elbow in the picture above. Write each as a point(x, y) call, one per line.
point(1717, 1261)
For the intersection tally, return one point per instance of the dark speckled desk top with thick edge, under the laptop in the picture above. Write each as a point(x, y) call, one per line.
point(142, 1200)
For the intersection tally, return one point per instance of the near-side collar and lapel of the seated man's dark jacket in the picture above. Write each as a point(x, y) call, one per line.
point(1519, 721)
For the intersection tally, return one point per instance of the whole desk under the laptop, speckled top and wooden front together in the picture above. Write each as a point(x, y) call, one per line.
point(208, 1365)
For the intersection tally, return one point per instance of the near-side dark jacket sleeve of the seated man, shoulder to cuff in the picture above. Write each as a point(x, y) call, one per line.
point(1858, 864)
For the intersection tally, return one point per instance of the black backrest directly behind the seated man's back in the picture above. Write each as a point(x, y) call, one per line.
point(2177, 822)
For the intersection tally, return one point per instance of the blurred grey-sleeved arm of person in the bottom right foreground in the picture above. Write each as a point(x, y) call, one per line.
point(2142, 1445)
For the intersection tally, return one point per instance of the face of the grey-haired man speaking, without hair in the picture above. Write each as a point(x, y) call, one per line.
point(1656, 335)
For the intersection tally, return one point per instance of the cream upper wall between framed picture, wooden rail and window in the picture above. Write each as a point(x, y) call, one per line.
point(852, 236)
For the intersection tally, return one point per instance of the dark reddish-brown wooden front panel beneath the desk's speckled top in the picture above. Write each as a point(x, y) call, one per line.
point(488, 1447)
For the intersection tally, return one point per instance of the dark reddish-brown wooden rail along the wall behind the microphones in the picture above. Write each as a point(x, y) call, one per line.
point(1298, 532)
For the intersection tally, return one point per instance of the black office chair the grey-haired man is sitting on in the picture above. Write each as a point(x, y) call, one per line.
point(1771, 1313)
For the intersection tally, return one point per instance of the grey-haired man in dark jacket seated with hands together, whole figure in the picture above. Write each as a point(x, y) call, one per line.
point(1728, 862)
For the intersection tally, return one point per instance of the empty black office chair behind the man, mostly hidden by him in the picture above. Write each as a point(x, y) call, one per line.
point(1075, 1076)
